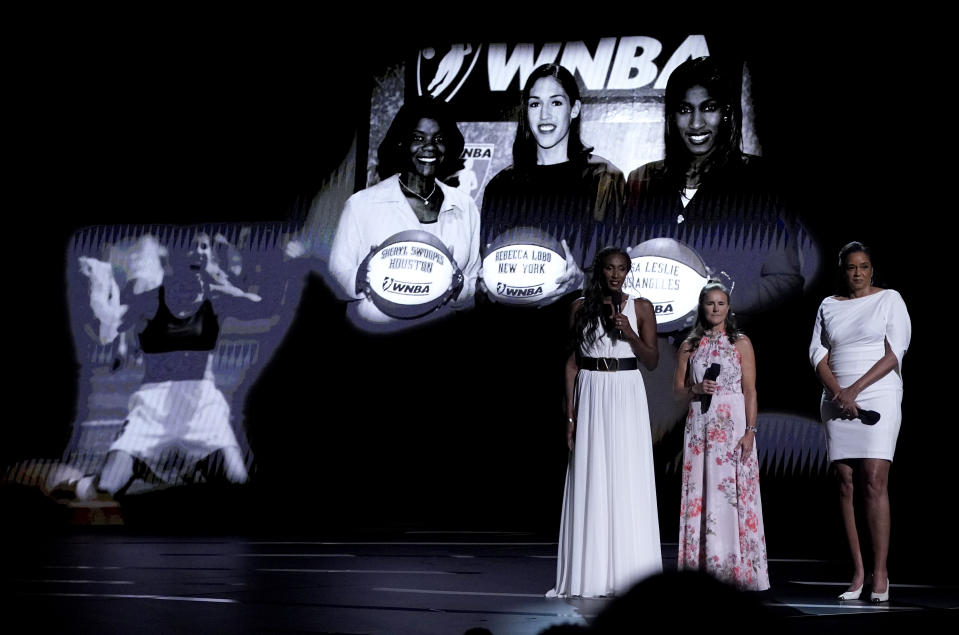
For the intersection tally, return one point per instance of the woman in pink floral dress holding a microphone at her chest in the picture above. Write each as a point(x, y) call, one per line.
point(721, 524)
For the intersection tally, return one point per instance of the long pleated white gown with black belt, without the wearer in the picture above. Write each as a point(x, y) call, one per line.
point(609, 531)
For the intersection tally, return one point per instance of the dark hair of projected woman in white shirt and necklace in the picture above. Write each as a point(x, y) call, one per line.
point(393, 153)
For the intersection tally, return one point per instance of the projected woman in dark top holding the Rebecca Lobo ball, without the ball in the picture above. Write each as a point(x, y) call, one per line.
point(556, 187)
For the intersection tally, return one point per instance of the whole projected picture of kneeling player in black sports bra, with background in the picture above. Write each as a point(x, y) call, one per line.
point(171, 327)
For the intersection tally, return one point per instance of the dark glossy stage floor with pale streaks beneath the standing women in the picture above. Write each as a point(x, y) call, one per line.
point(109, 580)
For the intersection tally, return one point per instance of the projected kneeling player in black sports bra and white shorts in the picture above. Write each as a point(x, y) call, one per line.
point(178, 420)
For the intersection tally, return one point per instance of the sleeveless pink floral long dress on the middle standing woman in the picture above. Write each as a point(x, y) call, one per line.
point(721, 521)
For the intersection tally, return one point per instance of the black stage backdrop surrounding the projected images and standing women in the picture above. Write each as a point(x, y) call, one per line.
point(237, 119)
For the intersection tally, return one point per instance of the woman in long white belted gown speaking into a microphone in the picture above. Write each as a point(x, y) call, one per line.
point(609, 532)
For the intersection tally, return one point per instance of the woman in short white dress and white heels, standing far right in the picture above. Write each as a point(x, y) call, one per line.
point(857, 346)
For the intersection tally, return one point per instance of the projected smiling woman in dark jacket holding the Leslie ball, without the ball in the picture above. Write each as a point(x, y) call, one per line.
point(711, 196)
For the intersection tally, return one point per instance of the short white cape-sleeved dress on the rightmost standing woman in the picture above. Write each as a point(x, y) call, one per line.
point(853, 332)
